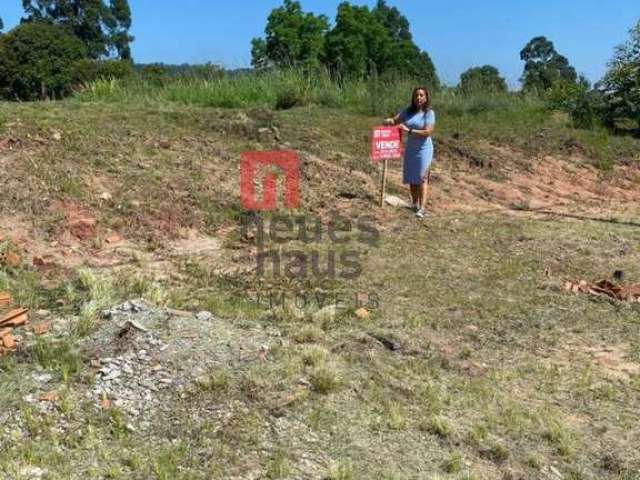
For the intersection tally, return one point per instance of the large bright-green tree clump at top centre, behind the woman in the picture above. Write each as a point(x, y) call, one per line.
point(362, 43)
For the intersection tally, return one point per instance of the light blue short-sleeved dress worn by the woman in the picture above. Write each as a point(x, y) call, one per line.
point(419, 150)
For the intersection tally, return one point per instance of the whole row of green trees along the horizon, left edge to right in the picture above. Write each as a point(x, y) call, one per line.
point(60, 43)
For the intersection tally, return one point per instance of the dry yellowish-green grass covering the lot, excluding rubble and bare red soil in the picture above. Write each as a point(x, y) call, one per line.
point(493, 377)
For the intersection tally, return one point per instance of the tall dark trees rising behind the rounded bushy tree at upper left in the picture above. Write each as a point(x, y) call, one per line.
point(103, 28)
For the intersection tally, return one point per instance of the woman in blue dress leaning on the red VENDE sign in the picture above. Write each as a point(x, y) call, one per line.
point(418, 121)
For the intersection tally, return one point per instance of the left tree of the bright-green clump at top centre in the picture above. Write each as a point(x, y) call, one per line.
point(293, 38)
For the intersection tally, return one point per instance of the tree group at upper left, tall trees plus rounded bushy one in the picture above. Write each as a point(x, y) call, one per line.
point(62, 42)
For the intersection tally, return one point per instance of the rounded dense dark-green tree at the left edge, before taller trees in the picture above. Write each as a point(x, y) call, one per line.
point(37, 61)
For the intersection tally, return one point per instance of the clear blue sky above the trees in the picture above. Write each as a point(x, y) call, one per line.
point(457, 35)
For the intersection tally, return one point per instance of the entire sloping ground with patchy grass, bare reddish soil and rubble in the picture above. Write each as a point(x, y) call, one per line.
point(471, 362)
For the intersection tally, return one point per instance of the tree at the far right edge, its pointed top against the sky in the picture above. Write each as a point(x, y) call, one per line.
point(621, 84)
